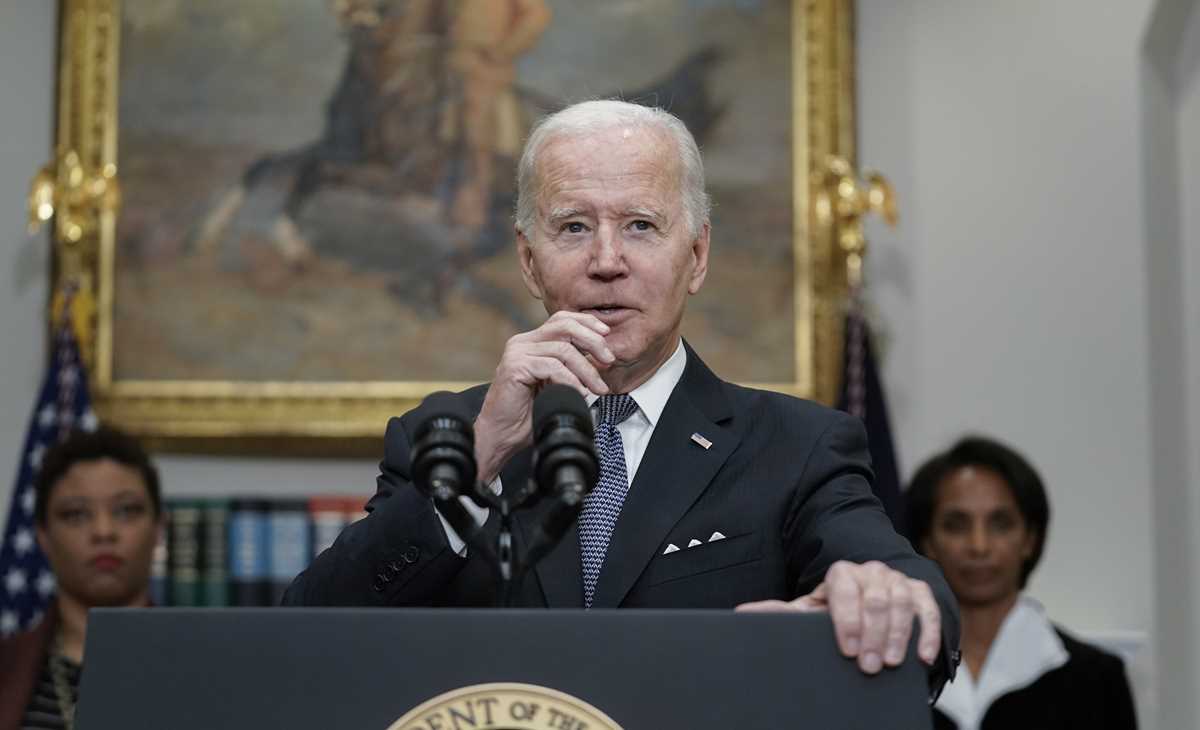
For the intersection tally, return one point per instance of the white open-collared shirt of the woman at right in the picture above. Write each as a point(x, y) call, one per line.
point(1025, 649)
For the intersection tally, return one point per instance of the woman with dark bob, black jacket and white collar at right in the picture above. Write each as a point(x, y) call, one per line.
point(981, 511)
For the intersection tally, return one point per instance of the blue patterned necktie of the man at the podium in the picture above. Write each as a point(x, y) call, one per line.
point(603, 505)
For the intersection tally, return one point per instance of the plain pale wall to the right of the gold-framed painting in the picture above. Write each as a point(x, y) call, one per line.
point(1042, 288)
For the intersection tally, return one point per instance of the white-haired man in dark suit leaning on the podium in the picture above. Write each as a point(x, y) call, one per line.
point(711, 495)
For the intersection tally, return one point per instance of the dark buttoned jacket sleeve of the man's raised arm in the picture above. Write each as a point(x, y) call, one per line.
point(398, 555)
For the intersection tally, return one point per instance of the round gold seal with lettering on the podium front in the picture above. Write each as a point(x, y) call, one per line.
point(505, 707)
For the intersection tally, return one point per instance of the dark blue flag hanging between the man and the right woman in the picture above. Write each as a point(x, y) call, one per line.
point(862, 396)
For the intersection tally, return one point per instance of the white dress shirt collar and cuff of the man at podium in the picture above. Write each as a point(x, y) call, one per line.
point(635, 433)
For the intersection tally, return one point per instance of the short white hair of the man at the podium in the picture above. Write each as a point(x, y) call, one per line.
point(605, 115)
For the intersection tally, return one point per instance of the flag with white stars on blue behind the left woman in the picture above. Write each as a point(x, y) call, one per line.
point(27, 583)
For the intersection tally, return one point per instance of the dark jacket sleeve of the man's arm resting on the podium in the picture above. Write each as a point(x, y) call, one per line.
point(835, 516)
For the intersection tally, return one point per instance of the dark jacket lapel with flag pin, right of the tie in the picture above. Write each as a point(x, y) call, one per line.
point(674, 474)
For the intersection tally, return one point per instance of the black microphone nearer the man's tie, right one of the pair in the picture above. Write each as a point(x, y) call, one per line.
point(565, 463)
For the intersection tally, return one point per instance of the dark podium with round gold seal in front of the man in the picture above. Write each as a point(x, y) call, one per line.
point(367, 669)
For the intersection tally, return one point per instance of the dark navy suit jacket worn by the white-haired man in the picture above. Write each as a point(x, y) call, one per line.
point(785, 481)
